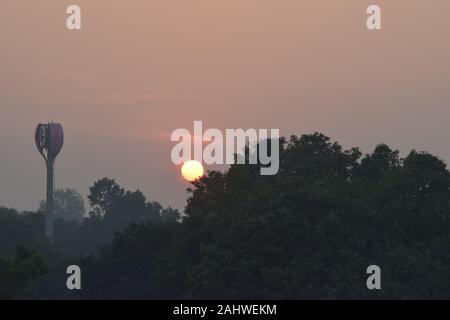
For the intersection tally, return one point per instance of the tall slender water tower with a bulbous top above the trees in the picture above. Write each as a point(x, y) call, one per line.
point(49, 139)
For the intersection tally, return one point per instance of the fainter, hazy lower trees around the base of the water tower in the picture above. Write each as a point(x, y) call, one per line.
point(22, 237)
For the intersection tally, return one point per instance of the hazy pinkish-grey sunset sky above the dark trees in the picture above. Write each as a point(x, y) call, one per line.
point(139, 69)
